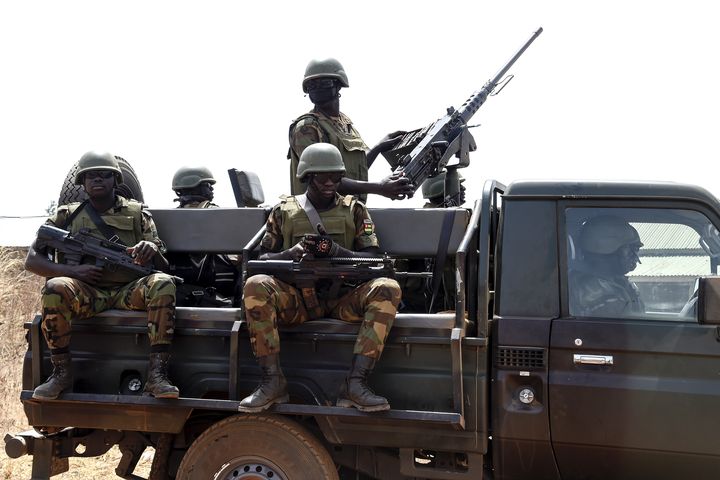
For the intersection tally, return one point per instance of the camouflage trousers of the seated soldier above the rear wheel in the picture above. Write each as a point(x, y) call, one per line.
point(269, 302)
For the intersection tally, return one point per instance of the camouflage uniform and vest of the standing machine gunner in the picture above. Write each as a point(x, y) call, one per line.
point(316, 127)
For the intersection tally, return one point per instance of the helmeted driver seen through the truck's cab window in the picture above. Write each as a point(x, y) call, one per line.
point(599, 287)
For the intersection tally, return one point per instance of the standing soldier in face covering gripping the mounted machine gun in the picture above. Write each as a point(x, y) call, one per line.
point(325, 123)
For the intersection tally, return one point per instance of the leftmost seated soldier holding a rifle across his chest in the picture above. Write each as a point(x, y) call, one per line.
point(83, 290)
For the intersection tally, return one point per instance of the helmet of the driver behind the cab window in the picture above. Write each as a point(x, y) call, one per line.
point(606, 234)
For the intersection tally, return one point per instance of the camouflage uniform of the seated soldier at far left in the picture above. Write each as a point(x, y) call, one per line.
point(64, 298)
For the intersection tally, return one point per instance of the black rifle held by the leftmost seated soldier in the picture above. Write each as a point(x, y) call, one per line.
point(108, 255)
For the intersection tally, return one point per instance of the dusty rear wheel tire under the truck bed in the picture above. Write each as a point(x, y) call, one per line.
point(257, 447)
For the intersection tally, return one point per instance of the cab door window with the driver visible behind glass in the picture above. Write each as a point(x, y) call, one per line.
point(638, 262)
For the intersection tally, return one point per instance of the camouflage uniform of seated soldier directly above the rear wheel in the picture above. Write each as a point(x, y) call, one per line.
point(269, 301)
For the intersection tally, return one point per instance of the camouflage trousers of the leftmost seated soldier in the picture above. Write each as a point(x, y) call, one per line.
point(65, 299)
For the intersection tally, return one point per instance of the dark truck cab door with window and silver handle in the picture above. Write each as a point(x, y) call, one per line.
point(634, 379)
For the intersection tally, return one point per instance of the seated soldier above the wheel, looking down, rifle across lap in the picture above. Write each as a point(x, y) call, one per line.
point(269, 301)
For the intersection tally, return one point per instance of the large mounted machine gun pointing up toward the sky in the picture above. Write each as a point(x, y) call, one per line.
point(425, 152)
